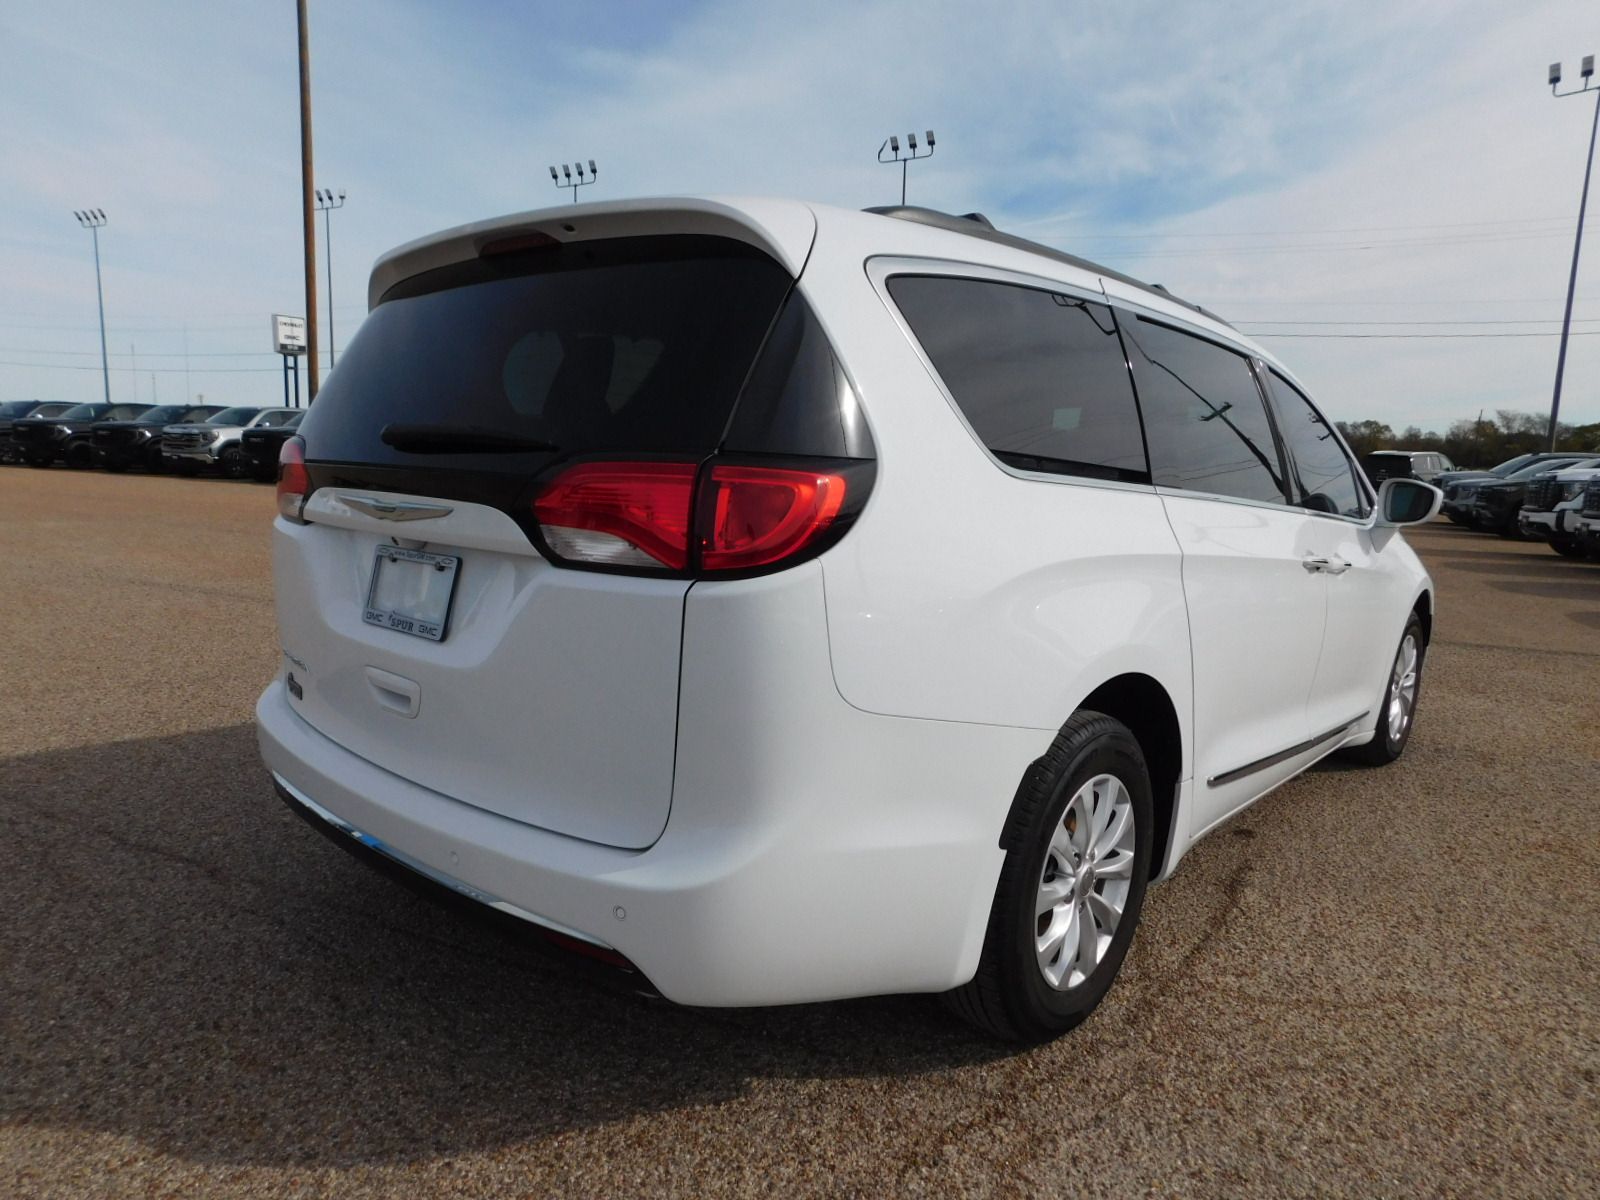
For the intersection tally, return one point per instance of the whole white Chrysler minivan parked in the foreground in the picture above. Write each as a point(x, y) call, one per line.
point(788, 604)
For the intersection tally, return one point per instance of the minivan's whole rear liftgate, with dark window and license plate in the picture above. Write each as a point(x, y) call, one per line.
point(551, 697)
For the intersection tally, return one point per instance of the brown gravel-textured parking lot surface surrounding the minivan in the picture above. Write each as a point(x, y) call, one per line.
point(1374, 983)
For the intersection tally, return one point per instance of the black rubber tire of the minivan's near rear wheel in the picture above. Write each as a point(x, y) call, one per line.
point(1010, 996)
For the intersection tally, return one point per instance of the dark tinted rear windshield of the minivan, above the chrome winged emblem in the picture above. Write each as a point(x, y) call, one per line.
point(625, 346)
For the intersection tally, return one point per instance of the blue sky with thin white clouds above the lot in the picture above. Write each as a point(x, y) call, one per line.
point(1318, 169)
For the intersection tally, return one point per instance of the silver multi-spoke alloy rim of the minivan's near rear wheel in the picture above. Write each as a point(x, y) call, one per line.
point(1084, 884)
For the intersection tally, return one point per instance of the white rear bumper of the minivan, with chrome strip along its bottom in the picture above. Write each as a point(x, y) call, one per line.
point(810, 890)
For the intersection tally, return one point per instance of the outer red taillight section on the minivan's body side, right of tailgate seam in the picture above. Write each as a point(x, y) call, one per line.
point(759, 516)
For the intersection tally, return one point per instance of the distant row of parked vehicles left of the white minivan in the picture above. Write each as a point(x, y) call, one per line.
point(182, 439)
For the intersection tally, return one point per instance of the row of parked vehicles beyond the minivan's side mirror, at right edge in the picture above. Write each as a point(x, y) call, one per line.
point(1553, 498)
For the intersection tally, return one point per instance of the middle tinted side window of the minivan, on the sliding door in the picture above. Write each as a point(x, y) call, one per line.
point(1204, 415)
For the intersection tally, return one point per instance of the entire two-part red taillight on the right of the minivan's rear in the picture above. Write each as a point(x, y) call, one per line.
point(681, 518)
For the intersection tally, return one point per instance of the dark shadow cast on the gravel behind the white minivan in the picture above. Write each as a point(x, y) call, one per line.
point(186, 964)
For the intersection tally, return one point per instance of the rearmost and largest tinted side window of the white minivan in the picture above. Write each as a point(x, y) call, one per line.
point(1041, 377)
